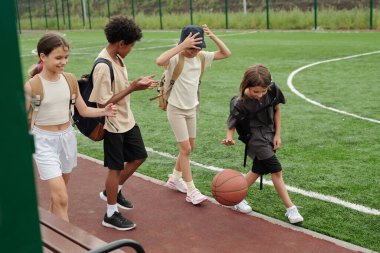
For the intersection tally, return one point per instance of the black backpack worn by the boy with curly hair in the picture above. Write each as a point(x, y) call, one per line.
point(90, 127)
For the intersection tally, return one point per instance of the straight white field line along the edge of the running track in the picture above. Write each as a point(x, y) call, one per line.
point(310, 194)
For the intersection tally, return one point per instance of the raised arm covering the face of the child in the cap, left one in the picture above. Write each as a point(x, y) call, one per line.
point(189, 42)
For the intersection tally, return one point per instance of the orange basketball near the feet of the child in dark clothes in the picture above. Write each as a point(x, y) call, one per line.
point(229, 187)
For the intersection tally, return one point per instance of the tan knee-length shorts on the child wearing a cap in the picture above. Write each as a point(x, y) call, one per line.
point(183, 122)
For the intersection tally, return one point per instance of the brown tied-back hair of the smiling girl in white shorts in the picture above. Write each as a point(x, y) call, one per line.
point(45, 45)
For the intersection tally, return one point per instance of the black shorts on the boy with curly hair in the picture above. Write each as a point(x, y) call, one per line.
point(123, 147)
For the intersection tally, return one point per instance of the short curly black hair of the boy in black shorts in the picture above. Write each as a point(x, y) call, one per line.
point(122, 28)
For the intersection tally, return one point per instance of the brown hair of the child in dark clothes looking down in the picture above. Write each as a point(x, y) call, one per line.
point(256, 75)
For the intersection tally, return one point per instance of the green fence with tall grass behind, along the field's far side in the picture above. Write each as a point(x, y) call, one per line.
point(222, 14)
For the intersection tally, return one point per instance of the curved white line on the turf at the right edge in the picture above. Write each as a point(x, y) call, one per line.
point(299, 94)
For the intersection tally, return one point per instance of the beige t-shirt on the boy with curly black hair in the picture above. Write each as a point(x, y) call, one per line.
point(103, 91)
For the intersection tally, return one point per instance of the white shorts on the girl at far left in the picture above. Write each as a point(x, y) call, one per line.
point(55, 152)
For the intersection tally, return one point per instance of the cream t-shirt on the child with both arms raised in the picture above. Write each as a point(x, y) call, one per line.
point(184, 92)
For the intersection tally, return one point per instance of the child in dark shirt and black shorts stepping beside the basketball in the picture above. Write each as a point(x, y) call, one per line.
point(265, 133)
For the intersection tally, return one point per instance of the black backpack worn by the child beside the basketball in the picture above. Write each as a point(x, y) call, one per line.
point(243, 118)
